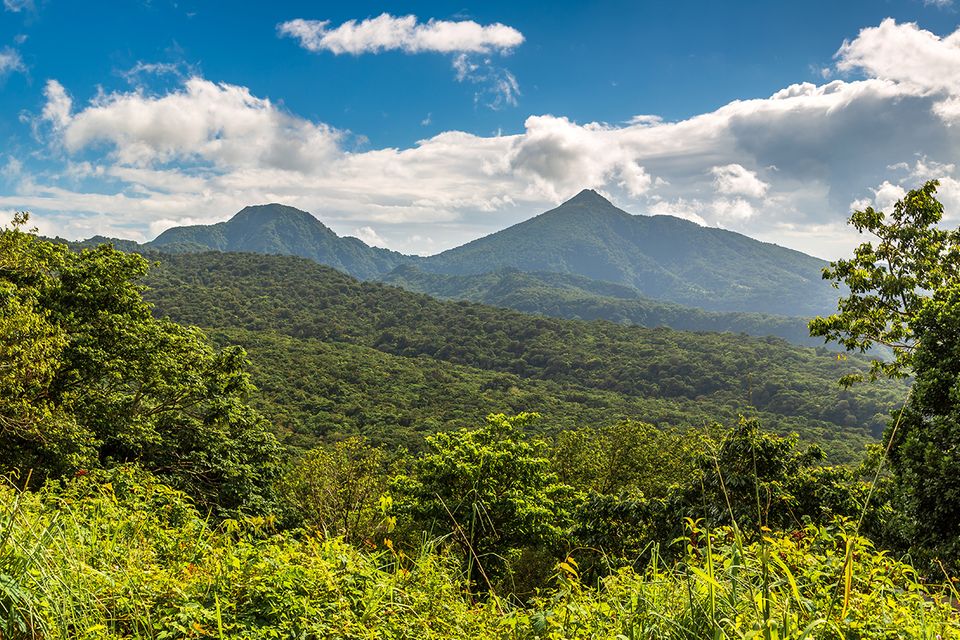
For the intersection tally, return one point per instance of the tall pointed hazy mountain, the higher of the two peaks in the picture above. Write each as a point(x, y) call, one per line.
point(663, 257)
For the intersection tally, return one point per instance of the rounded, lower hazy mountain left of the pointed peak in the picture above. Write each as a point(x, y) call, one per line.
point(283, 230)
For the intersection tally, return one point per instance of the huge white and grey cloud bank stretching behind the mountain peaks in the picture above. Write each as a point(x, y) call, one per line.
point(785, 168)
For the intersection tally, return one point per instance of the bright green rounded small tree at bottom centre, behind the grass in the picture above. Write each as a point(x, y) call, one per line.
point(492, 489)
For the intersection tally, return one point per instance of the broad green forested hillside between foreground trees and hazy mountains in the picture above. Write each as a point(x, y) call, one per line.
point(332, 353)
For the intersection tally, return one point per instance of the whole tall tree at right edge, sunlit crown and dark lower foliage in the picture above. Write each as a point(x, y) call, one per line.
point(905, 294)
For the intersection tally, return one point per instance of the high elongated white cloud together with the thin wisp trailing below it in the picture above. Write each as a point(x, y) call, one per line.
point(470, 43)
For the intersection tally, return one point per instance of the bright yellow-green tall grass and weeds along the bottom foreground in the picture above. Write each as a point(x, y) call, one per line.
point(120, 556)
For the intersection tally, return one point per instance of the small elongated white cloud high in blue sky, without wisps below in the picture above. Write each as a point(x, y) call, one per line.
point(402, 33)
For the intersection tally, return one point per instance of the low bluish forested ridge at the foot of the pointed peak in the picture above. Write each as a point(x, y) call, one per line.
point(565, 295)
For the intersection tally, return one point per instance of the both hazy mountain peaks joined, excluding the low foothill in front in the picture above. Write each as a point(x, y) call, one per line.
point(663, 258)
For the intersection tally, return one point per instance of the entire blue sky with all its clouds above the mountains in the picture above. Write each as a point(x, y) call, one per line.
point(421, 126)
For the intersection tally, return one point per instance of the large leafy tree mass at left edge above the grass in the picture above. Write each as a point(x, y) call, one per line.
point(89, 377)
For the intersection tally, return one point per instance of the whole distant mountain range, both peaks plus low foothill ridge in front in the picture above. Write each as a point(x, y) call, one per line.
point(584, 259)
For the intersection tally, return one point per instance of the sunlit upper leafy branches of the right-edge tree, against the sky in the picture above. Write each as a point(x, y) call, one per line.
point(891, 279)
